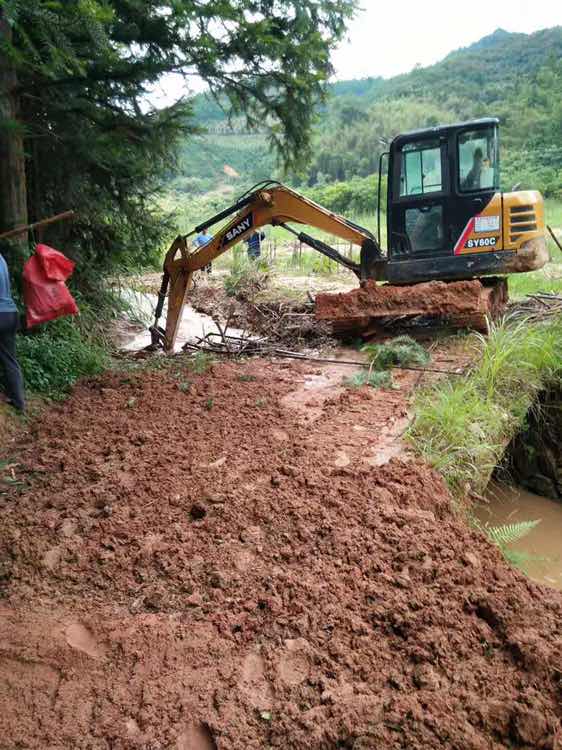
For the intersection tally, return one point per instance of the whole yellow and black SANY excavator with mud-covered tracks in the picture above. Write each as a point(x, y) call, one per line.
point(450, 230)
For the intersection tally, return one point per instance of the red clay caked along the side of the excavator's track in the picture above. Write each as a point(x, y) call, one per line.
point(430, 298)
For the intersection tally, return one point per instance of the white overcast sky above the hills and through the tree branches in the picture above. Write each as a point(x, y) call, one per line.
point(389, 37)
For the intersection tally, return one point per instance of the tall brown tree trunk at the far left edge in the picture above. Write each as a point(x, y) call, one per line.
point(13, 191)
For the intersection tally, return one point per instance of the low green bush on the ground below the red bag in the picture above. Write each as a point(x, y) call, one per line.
point(53, 359)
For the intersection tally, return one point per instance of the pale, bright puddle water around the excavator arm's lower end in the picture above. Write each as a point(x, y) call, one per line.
point(193, 325)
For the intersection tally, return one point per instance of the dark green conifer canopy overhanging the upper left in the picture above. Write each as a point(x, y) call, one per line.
point(76, 80)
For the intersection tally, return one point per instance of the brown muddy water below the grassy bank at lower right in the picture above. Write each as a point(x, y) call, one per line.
point(543, 544)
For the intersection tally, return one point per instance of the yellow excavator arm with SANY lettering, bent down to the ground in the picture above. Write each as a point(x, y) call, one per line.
point(273, 204)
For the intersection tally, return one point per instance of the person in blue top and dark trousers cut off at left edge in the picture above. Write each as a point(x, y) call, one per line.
point(8, 326)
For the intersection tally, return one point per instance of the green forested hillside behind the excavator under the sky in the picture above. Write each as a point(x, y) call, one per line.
point(517, 77)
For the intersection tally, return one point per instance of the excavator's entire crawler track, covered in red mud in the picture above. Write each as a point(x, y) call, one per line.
point(463, 304)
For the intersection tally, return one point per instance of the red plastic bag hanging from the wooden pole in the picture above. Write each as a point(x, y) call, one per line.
point(45, 293)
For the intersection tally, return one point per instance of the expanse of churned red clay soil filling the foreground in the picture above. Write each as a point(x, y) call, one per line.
point(191, 568)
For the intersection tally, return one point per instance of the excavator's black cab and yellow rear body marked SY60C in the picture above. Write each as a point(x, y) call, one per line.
point(446, 216)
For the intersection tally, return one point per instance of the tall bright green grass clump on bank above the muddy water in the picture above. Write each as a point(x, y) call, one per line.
point(461, 426)
